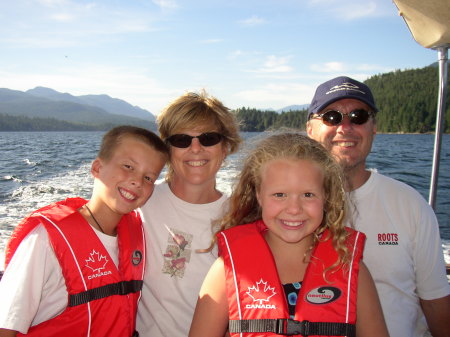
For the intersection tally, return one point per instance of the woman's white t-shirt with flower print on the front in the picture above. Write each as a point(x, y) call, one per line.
point(174, 229)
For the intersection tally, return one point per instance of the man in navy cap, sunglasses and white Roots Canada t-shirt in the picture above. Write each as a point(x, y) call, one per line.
point(403, 249)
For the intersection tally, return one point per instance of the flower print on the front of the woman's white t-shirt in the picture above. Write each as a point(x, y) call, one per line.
point(178, 252)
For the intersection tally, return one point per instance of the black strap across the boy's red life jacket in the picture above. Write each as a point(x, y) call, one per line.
point(119, 288)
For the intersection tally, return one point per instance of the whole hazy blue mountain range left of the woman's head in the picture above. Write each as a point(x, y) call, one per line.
point(97, 111)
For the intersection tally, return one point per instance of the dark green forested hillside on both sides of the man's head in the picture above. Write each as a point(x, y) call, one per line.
point(407, 101)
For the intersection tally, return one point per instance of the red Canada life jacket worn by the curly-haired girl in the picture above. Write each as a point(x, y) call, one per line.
point(256, 298)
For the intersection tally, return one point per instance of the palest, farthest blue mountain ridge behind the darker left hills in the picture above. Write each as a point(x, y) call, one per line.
point(112, 105)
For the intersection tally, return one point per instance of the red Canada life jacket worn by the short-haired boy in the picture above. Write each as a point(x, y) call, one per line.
point(102, 299)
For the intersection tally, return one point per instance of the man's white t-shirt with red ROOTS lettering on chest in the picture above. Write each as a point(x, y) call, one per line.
point(403, 251)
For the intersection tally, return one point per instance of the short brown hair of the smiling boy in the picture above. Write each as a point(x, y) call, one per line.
point(114, 136)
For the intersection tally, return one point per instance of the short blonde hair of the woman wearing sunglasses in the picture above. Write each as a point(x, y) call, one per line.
point(199, 111)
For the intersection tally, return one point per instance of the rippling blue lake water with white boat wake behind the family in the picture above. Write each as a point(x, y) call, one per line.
point(38, 168)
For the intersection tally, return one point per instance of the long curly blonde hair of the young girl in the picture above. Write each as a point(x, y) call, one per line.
point(244, 207)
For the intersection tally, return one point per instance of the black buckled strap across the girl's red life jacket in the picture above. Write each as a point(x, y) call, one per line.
point(290, 327)
